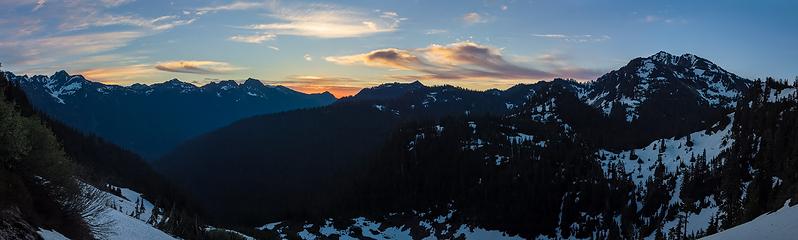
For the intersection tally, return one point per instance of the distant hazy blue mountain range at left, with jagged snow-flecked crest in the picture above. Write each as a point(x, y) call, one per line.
point(151, 120)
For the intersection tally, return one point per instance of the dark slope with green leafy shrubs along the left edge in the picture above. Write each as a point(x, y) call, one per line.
point(37, 175)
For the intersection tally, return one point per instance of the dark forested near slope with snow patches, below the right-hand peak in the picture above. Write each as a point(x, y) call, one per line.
point(689, 186)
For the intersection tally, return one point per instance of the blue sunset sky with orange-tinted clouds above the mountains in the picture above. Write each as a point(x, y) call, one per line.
point(344, 46)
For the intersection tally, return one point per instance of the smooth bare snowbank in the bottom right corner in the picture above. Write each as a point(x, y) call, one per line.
point(781, 224)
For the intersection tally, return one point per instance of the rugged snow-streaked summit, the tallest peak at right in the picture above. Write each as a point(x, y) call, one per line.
point(664, 74)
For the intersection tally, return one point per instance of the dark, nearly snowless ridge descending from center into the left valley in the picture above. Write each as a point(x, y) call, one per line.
point(306, 154)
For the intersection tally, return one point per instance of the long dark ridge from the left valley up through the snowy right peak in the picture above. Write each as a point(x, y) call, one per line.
point(650, 98)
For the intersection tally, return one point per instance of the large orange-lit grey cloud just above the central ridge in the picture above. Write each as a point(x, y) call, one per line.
point(456, 61)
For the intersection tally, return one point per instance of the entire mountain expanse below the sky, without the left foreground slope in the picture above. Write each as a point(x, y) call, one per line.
point(665, 147)
